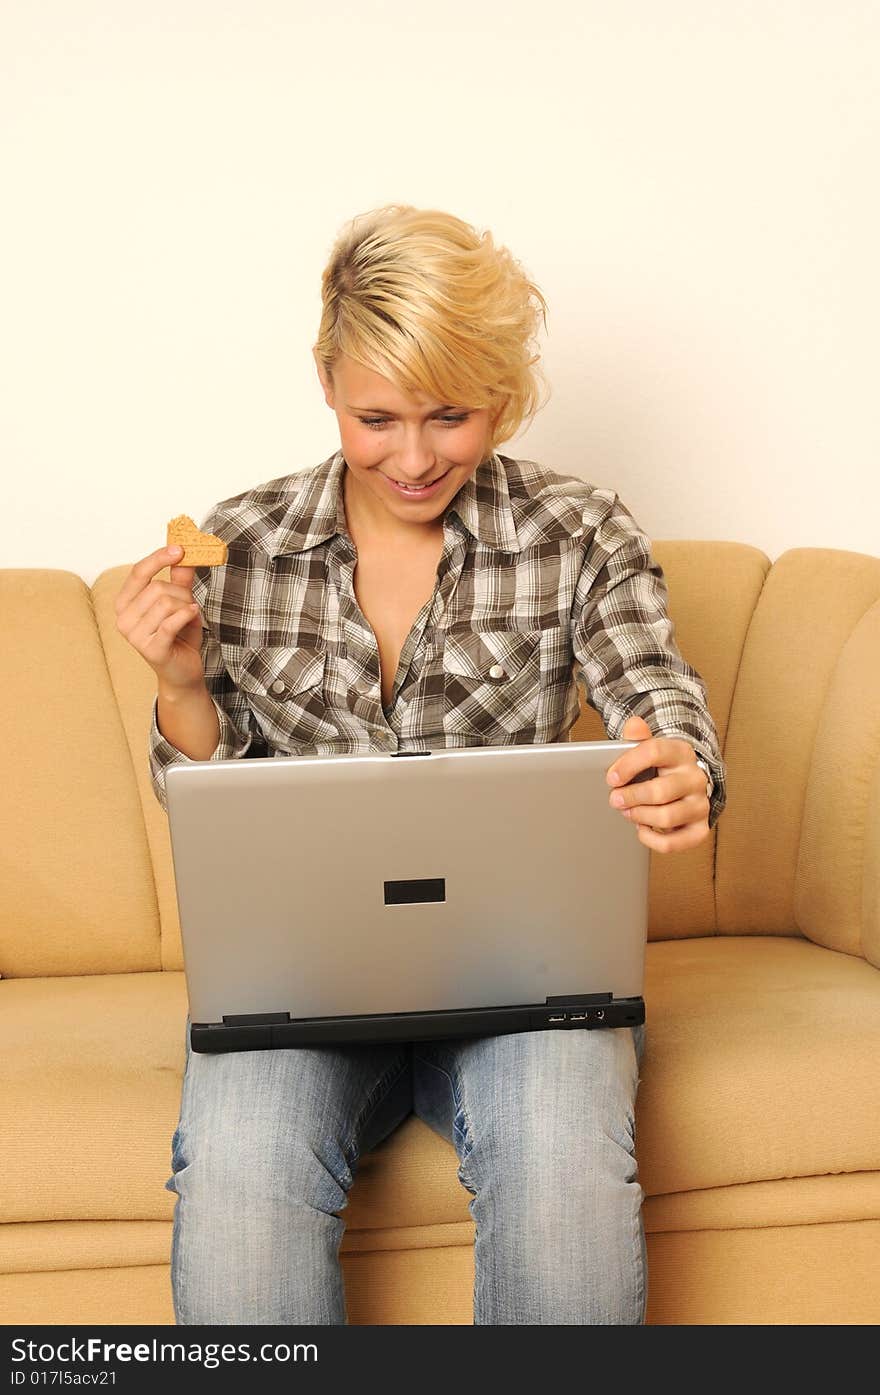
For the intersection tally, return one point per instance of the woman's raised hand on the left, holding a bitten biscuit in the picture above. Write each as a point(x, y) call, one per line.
point(162, 621)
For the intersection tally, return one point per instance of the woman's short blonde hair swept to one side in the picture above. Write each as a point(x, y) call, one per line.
point(423, 299)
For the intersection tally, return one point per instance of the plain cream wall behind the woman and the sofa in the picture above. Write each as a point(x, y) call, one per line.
point(692, 183)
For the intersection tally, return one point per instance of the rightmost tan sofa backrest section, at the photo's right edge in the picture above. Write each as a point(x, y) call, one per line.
point(797, 842)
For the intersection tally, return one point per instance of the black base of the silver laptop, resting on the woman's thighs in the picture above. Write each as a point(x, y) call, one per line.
point(263, 1032)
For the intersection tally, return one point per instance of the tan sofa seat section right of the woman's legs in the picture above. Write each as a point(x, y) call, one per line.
point(761, 1062)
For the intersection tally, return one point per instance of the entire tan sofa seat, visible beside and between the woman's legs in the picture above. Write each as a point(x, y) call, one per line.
point(761, 1064)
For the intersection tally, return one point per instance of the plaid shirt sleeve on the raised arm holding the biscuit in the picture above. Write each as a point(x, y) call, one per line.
point(239, 733)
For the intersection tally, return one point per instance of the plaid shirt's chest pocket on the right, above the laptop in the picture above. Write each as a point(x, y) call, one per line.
point(493, 684)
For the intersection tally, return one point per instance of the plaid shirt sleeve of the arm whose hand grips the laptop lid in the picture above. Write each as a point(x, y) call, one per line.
point(625, 648)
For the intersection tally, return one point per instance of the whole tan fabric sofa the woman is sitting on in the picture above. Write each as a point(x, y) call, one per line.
point(759, 1107)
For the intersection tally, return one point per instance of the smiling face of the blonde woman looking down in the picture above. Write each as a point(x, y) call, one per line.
point(391, 440)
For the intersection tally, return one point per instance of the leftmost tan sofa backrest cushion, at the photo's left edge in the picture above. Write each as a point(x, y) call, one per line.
point(76, 878)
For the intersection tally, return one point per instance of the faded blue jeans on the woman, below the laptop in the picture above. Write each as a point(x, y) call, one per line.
point(543, 1124)
